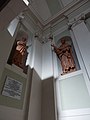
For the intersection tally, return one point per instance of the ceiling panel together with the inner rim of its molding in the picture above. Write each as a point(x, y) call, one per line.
point(45, 10)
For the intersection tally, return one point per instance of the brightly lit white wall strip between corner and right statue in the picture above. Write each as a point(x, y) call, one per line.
point(47, 67)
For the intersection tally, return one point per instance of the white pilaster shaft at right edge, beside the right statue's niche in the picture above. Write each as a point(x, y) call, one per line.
point(82, 36)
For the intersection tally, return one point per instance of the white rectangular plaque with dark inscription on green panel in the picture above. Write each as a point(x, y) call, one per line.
point(12, 88)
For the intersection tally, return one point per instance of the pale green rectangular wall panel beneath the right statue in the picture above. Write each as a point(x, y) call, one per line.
point(74, 93)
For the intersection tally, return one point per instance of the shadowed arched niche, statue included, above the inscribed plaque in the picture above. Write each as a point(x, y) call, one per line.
point(19, 51)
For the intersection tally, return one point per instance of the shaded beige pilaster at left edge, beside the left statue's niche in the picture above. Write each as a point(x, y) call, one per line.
point(5, 47)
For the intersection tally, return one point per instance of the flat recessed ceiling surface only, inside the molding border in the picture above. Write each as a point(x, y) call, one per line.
point(47, 8)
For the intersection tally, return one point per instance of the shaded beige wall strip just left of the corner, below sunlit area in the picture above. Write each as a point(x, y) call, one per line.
point(35, 98)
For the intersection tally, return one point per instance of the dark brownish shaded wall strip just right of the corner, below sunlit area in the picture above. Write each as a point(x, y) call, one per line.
point(48, 103)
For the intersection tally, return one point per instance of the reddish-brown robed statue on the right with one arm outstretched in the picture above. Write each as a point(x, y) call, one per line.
point(64, 53)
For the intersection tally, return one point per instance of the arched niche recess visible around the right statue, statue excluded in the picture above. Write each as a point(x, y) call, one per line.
point(68, 40)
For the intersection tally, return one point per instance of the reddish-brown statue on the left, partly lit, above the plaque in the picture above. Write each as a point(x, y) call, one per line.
point(20, 51)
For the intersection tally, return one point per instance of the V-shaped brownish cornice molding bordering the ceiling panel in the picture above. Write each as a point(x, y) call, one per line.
point(65, 11)
